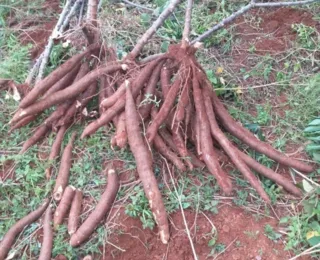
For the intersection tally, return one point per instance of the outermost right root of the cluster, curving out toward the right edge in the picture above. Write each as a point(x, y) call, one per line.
point(248, 138)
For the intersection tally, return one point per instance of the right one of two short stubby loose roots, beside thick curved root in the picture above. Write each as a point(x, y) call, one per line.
point(75, 212)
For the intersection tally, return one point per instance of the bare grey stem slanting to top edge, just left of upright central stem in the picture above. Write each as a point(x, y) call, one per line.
point(157, 23)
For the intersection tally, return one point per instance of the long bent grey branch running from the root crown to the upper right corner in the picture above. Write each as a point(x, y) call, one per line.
point(244, 10)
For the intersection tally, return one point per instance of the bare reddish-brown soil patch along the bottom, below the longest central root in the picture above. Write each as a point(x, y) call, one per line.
point(242, 232)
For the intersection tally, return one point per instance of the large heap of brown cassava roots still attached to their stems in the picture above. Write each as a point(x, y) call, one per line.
point(164, 104)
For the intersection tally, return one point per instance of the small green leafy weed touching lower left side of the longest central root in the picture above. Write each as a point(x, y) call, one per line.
point(139, 208)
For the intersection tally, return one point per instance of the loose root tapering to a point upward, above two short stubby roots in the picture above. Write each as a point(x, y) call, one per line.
point(64, 170)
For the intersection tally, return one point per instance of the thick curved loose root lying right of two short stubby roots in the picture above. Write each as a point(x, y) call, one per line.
point(102, 208)
